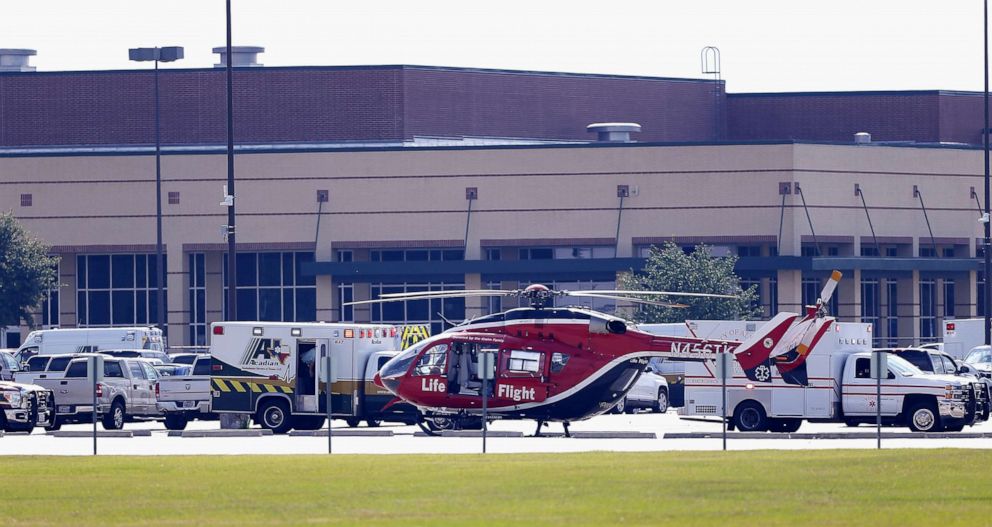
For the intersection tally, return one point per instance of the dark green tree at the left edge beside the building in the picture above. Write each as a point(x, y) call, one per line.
point(27, 272)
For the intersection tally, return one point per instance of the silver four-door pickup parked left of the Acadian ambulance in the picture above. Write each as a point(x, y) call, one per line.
point(126, 390)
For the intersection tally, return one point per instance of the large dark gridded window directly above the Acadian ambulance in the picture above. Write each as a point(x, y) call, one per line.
point(271, 286)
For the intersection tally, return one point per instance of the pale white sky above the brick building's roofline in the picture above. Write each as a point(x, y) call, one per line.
point(765, 45)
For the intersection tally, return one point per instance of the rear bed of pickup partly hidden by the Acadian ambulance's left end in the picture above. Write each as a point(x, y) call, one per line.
point(183, 398)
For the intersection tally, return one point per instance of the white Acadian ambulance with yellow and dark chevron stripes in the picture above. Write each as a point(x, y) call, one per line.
point(273, 371)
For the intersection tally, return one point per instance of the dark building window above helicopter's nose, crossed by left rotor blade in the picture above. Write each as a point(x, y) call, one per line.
point(430, 312)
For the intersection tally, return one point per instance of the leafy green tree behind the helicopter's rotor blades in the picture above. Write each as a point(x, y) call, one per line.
point(671, 269)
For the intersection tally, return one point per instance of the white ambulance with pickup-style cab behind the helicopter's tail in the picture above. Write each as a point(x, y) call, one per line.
point(835, 385)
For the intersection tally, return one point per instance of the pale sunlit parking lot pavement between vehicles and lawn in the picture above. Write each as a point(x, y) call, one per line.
point(634, 433)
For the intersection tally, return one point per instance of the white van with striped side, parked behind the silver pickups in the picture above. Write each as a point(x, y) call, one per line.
point(83, 340)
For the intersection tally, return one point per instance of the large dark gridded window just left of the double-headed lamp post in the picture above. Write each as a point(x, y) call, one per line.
point(117, 289)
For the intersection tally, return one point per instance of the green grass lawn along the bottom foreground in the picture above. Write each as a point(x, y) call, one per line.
point(905, 487)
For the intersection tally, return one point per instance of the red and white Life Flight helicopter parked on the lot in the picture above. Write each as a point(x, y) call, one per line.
point(566, 363)
